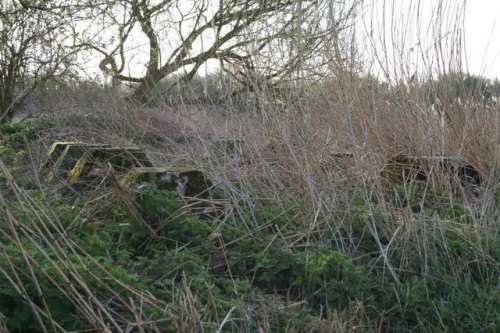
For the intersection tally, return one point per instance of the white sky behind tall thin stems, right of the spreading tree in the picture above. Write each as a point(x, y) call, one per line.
point(404, 38)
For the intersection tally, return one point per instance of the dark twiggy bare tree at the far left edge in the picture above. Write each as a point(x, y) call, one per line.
point(34, 47)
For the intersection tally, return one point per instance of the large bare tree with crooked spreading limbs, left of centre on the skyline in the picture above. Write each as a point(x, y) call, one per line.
point(268, 38)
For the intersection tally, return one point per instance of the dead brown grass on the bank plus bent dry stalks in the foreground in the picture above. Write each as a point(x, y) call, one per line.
point(321, 152)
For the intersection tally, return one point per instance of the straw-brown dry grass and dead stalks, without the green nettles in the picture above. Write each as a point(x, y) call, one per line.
point(293, 157)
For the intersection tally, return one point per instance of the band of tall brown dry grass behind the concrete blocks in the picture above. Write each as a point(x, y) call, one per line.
point(335, 140)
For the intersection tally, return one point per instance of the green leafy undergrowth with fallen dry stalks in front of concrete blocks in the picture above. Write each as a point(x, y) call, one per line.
point(406, 259)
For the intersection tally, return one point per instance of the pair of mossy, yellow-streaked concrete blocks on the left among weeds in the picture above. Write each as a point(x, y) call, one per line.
point(77, 163)
